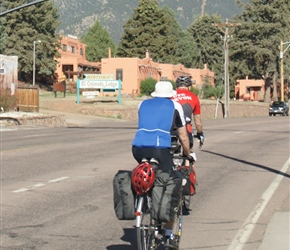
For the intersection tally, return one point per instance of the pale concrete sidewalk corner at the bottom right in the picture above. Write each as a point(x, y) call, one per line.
point(277, 235)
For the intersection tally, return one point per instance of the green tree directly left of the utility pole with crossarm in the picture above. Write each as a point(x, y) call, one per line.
point(208, 42)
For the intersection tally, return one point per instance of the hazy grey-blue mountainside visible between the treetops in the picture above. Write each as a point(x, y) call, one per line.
point(77, 17)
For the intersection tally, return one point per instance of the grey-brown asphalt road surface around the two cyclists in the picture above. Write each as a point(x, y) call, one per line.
point(56, 185)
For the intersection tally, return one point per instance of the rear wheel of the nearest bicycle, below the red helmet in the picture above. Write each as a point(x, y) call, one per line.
point(146, 233)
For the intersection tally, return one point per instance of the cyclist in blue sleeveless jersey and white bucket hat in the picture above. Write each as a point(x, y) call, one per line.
point(158, 117)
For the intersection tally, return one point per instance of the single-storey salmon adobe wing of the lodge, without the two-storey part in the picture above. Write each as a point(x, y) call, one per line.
point(132, 71)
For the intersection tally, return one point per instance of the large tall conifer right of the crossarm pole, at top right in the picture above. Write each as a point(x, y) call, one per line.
point(255, 51)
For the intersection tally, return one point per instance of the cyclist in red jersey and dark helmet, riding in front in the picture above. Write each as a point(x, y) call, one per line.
point(191, 107)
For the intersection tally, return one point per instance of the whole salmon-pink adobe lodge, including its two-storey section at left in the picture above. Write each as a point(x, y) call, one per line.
point(131, 71)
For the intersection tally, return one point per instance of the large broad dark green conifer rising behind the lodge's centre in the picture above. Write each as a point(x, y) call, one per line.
point(151, 28)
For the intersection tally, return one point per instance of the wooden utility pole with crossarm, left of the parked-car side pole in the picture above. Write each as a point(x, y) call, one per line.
point(227, 38)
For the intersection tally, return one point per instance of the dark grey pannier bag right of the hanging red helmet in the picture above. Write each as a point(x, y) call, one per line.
point(166, 195)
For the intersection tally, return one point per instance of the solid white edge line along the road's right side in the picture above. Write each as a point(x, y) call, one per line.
point(247, 228)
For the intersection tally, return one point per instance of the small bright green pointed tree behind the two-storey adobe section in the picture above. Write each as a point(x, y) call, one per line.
point(98, 41)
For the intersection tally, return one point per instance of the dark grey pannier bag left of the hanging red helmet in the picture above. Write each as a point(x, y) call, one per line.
point(124, 197)
